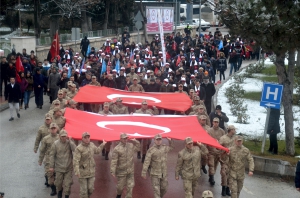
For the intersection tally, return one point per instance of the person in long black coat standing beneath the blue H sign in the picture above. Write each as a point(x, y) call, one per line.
point(273, 129)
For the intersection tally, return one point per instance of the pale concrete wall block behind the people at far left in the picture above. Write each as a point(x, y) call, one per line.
point(22, 42)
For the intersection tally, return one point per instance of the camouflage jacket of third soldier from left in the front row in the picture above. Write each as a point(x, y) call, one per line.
point(122, 158)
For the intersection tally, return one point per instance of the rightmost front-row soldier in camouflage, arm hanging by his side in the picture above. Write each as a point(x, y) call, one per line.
point(238, 155)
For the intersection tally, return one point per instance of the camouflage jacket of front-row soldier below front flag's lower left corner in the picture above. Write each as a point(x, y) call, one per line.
point(61, 156)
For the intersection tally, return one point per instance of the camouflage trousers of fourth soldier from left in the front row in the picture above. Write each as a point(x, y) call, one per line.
point(159, 185)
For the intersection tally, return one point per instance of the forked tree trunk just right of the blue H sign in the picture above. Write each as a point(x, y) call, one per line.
point(286, 78)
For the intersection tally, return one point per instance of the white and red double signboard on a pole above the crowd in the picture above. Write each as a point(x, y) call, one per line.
point(154, 14)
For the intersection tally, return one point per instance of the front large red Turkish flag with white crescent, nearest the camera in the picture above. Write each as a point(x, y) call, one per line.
point(110, 127)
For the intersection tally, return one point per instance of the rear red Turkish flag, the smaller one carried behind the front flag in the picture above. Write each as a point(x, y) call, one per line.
point(172, 101)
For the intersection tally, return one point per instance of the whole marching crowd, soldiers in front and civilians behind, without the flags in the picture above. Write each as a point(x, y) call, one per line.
point(191, 67)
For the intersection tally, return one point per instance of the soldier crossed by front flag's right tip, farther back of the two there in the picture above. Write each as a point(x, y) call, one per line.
point(214, 154)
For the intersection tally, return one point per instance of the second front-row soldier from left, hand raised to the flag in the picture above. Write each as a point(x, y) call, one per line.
point(84, 164)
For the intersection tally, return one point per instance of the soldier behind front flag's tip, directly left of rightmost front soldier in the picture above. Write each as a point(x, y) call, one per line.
point(226, 141)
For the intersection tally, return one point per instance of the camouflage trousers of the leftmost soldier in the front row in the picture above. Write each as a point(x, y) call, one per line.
point(64, 181)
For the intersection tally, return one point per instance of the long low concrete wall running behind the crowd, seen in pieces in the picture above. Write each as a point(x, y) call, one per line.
point(42, 51)
